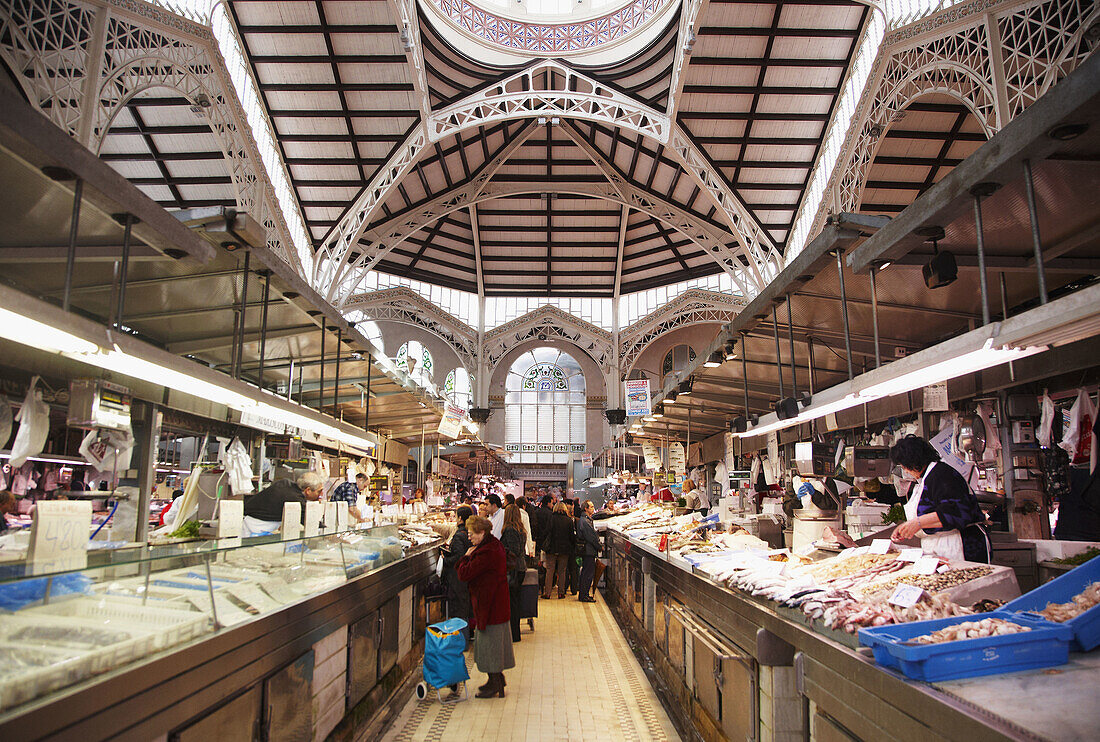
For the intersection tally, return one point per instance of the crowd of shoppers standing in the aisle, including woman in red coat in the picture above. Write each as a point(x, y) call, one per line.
point(487, 562)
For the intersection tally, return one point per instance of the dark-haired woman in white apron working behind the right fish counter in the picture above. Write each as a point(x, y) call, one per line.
point(941, 512)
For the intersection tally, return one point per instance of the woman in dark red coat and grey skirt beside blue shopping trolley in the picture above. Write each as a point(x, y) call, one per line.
point(485, 568)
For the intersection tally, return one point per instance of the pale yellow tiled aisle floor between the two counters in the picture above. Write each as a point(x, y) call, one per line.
point(576, 679)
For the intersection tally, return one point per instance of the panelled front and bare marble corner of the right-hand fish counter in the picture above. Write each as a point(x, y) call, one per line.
point(807, 683)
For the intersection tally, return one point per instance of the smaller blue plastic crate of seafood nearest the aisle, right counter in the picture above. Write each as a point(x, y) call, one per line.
point(1046, 646)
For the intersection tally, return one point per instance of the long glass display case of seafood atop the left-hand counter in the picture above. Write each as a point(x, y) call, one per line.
point(60, 629)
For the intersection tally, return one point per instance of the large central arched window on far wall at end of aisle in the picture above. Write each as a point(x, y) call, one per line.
point(544, 407)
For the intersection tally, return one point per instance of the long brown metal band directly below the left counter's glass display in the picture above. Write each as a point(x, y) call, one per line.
point(175, 690)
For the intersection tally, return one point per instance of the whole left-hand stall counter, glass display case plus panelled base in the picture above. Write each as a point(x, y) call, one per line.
point(173, 633)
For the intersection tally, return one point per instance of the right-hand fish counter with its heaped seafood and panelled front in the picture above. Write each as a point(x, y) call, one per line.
point(739, 666)
